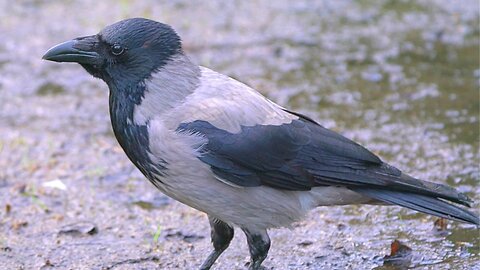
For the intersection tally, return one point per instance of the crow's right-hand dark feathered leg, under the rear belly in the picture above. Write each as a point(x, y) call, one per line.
point(259, 244)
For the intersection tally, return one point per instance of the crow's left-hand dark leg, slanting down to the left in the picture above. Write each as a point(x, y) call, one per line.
point(221, 234)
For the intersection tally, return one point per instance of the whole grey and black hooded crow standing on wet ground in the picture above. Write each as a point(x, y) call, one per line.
point(219, 146)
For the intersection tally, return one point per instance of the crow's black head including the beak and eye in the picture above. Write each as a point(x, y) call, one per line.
point(123, 53)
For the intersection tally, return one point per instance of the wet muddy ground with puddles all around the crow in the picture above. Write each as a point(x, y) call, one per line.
point(401, 77)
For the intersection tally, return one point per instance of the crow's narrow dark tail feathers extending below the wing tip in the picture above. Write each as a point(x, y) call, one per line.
point(422, 203)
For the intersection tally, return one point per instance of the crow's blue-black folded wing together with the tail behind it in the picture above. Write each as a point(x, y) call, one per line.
point(302, 154)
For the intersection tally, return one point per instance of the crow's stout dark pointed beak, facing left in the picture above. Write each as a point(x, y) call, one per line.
point(79, 50)
